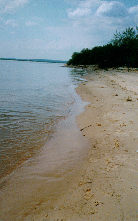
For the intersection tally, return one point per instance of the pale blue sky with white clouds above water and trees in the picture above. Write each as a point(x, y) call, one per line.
point(54, 29)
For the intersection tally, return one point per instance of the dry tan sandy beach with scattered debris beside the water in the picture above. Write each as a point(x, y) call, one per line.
point(107, 186)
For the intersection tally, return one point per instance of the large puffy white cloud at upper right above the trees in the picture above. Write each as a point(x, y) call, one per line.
point(102, 14)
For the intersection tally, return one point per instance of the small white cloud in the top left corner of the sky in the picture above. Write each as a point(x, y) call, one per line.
point(11, 5)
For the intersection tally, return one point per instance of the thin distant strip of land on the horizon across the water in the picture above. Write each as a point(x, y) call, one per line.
point(33, 60)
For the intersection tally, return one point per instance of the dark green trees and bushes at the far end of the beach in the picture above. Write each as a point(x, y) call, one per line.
point(122, 50)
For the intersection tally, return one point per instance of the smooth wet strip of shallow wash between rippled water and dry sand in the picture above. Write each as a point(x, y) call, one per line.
point(34, 188)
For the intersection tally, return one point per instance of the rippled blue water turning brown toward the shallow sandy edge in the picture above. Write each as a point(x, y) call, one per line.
point(34, 96)
